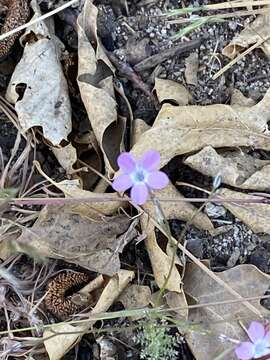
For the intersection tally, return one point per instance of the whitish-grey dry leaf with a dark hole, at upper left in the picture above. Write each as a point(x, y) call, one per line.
point(39, 102)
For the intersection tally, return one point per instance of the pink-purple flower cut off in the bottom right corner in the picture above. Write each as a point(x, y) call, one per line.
point(259, 345)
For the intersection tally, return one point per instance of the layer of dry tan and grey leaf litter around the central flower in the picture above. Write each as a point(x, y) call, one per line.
point(77, 223)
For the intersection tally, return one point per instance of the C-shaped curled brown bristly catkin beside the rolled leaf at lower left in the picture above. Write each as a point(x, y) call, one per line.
point(56, 301)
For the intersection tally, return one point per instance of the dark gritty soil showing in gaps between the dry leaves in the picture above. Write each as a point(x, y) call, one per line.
point(133, 34)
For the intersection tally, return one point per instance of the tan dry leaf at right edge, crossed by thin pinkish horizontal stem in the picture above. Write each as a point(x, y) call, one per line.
point(256, 216)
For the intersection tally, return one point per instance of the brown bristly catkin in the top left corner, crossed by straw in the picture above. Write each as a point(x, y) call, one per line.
point(17, 15)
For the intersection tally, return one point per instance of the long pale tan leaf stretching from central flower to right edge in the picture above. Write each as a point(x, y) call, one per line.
point(180, 130)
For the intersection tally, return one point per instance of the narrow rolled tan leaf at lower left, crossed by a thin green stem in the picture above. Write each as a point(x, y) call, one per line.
point(73, 334)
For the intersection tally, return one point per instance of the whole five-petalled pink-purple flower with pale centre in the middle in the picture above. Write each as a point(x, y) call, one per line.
point(141, 176)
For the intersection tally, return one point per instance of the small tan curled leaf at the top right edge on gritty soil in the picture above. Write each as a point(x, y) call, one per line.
point(256, 31)
